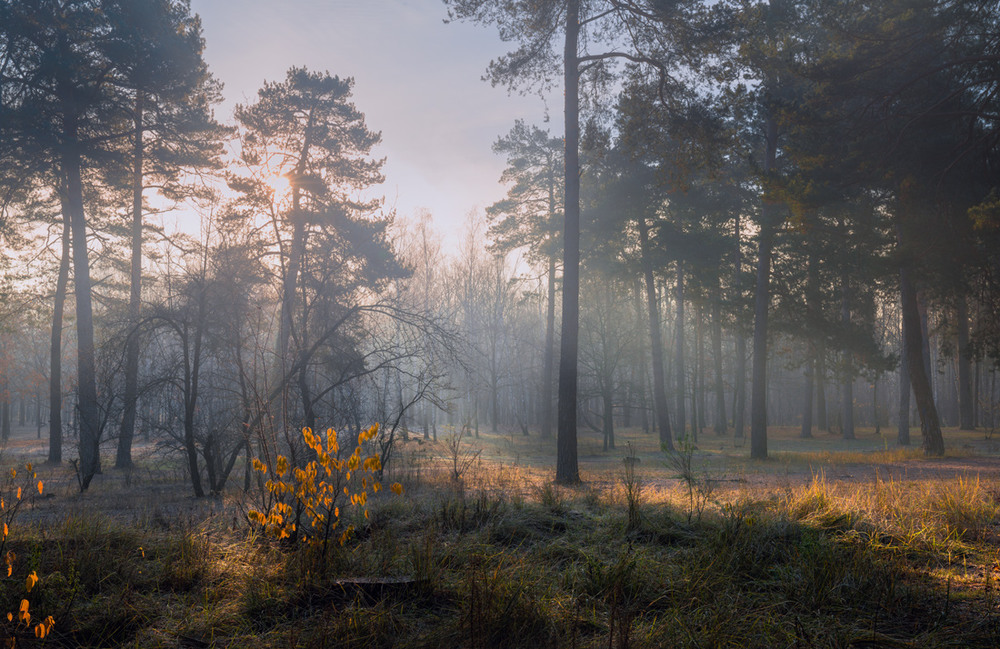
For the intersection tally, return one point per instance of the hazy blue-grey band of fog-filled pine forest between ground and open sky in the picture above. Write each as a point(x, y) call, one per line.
point(760, 214)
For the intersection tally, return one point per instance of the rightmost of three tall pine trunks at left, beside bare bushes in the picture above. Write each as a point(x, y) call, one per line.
point(123, 457)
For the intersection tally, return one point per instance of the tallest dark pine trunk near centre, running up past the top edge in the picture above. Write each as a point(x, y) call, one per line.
point(567, 470)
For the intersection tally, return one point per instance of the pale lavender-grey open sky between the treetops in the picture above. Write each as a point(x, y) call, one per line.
point(417, 80)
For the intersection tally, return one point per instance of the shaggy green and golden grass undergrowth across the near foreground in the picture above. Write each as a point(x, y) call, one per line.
point(889, 563)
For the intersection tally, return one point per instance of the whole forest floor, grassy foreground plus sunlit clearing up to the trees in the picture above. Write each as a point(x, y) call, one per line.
point(828, 543)
